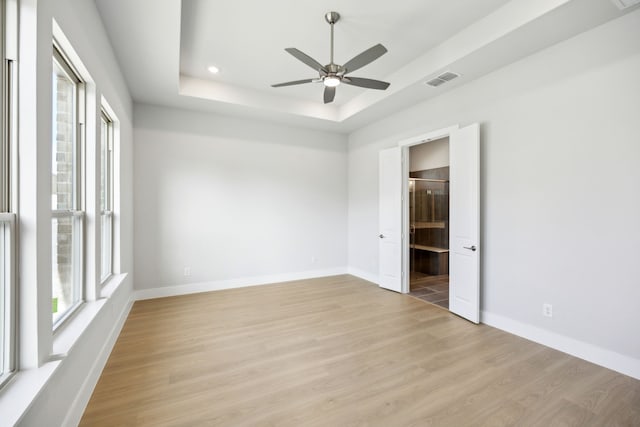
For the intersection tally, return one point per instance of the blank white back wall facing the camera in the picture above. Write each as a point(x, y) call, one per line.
point(235, 200)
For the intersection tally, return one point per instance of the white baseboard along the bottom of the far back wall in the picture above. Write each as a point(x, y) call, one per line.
point(192, 288)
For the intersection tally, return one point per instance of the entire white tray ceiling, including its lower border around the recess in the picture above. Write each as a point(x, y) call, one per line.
point(165, 46)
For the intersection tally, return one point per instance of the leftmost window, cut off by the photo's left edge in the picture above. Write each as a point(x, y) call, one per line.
point(7, 215)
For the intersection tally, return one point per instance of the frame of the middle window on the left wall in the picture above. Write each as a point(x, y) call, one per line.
point(76, 212)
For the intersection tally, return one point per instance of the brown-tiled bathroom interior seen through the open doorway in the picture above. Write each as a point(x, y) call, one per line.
point(429, 222)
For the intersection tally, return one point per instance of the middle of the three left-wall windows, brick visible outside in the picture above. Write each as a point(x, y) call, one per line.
point(66, 192)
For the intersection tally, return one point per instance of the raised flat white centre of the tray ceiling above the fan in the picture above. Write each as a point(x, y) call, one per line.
point(249, 47)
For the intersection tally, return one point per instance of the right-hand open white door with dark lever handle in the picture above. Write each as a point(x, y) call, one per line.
point(464, 223)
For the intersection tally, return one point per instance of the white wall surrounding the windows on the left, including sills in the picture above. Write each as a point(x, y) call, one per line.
point(55, 391)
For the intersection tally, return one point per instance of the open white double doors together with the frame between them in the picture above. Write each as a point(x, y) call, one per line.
point(464, 217)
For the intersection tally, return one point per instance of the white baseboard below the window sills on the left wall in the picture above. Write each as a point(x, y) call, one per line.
point(74, 415)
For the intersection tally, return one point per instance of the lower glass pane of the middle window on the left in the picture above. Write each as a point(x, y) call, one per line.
point(65, 292)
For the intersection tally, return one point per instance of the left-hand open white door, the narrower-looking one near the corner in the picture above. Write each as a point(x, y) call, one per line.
point(390, 219)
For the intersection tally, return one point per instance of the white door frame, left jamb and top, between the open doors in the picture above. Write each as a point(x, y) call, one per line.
point(405, 144)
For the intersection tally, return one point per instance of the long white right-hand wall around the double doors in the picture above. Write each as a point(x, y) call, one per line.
point(560, 139)
